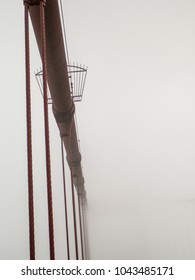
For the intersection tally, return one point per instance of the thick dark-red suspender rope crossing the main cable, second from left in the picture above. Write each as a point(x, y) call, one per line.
point(47, 145)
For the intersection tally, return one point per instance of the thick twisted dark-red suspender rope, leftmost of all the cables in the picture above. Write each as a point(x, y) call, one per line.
point(29, 137)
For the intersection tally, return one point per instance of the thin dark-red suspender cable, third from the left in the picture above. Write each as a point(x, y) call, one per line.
point(65, 202)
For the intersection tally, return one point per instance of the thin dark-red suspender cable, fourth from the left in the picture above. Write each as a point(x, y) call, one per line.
point(73, 204)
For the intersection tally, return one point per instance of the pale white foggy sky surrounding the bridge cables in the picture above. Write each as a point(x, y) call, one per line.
point(136, 129)
